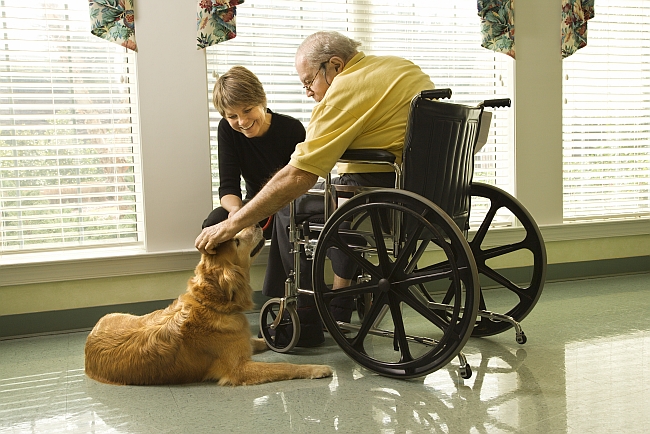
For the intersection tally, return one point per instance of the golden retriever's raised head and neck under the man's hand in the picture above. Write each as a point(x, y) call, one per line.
point(223, 277)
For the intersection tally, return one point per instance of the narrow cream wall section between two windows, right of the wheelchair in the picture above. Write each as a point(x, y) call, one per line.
point(538, 110)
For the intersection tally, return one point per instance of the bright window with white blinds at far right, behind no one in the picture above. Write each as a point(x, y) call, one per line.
point(606, 126)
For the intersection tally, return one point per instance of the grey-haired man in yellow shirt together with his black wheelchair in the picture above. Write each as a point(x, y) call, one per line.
point(398, 251)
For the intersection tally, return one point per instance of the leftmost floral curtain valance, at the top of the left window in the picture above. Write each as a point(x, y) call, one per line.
point(114, 21)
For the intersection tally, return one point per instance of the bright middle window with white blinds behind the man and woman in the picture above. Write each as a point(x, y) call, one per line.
point(443, 38)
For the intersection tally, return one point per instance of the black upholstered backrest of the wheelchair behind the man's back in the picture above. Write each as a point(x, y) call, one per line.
point(439, 154)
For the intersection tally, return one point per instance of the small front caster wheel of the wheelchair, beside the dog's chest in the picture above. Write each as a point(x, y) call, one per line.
point(285, 336)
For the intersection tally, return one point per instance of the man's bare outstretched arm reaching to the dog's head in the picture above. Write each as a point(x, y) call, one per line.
point(286, 185)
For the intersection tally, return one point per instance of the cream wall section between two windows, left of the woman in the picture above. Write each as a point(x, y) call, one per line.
point(175, 132)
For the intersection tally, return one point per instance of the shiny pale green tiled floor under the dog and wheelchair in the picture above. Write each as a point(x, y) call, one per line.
point(585, 369)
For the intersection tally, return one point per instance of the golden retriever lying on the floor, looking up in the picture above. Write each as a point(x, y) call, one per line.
point(202, 336)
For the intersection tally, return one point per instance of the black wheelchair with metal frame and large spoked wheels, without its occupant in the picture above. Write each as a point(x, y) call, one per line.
point(406, 231)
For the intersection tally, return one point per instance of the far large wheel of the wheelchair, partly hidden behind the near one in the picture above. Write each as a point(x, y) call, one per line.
point(514, 294)
